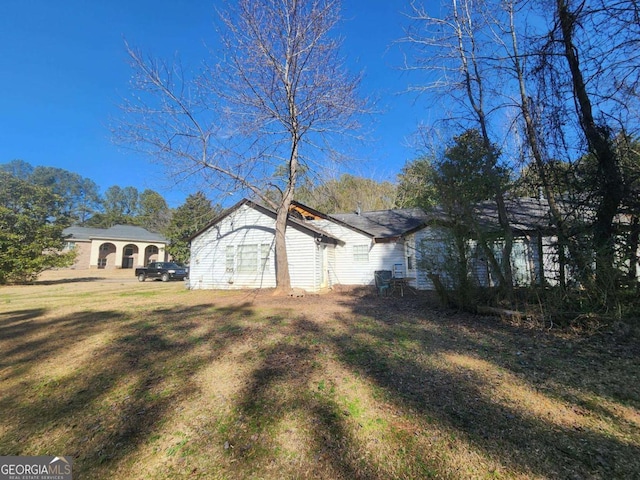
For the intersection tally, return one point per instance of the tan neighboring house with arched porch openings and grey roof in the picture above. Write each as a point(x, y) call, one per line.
point(121, 246)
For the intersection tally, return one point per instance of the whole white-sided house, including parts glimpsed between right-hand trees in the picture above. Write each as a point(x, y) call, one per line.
point(236, 250)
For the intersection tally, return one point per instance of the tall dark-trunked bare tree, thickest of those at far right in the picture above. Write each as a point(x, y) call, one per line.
point(592, 53)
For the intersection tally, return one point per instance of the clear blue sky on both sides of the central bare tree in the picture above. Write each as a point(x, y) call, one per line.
point(64, 71)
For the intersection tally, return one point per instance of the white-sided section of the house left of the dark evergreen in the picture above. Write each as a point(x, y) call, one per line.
point(236, 250)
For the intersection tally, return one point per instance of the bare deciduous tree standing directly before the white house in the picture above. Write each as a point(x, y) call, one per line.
point(277, 98)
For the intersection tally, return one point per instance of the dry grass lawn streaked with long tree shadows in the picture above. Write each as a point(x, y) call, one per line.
point(152, 381)
